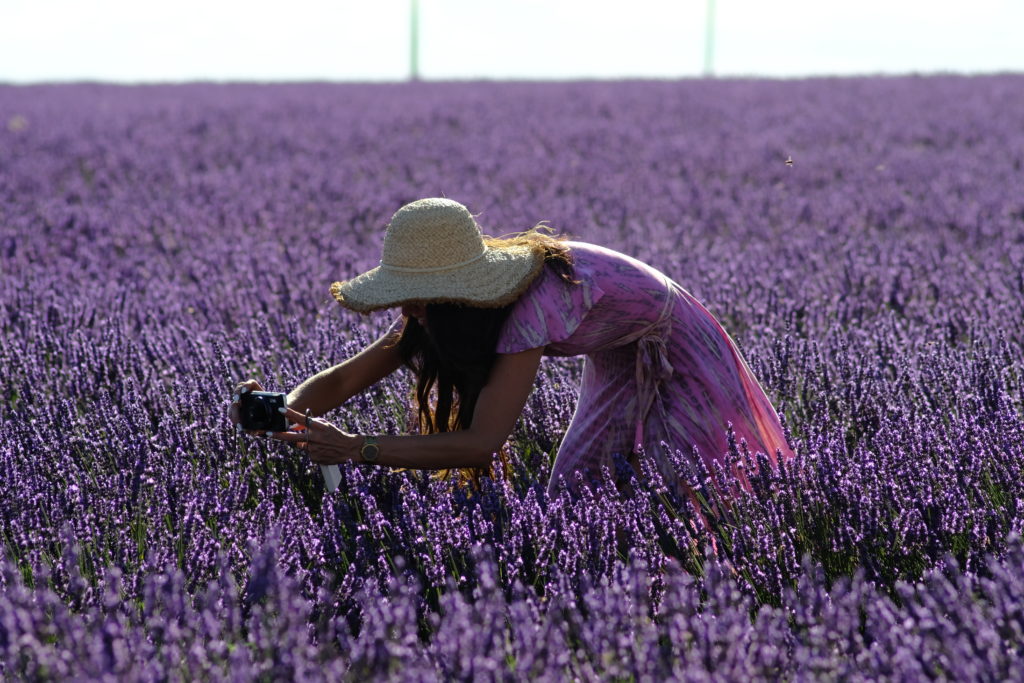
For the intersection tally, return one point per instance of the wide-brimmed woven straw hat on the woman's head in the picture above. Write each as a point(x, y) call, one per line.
point(435, 252)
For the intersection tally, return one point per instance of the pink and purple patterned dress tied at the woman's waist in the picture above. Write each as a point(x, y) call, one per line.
point(659, 369)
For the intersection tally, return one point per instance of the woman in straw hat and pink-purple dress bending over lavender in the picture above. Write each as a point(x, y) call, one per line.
point(478, 314)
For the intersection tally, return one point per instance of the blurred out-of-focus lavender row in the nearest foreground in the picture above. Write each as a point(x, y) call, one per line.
point(950, 626)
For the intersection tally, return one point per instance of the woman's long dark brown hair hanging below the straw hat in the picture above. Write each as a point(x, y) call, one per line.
point(454, 357)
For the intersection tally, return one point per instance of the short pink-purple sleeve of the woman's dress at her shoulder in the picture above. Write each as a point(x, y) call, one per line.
point(548, 313)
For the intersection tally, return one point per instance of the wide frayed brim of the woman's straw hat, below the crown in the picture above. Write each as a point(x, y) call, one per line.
point(496, 280)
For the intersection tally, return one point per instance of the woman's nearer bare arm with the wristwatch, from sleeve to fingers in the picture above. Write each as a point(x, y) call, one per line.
point(498, 407)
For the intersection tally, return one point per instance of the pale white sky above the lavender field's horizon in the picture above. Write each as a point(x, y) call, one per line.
point(133, 41)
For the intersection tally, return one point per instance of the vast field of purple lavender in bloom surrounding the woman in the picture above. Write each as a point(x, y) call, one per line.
point(159, 244)
